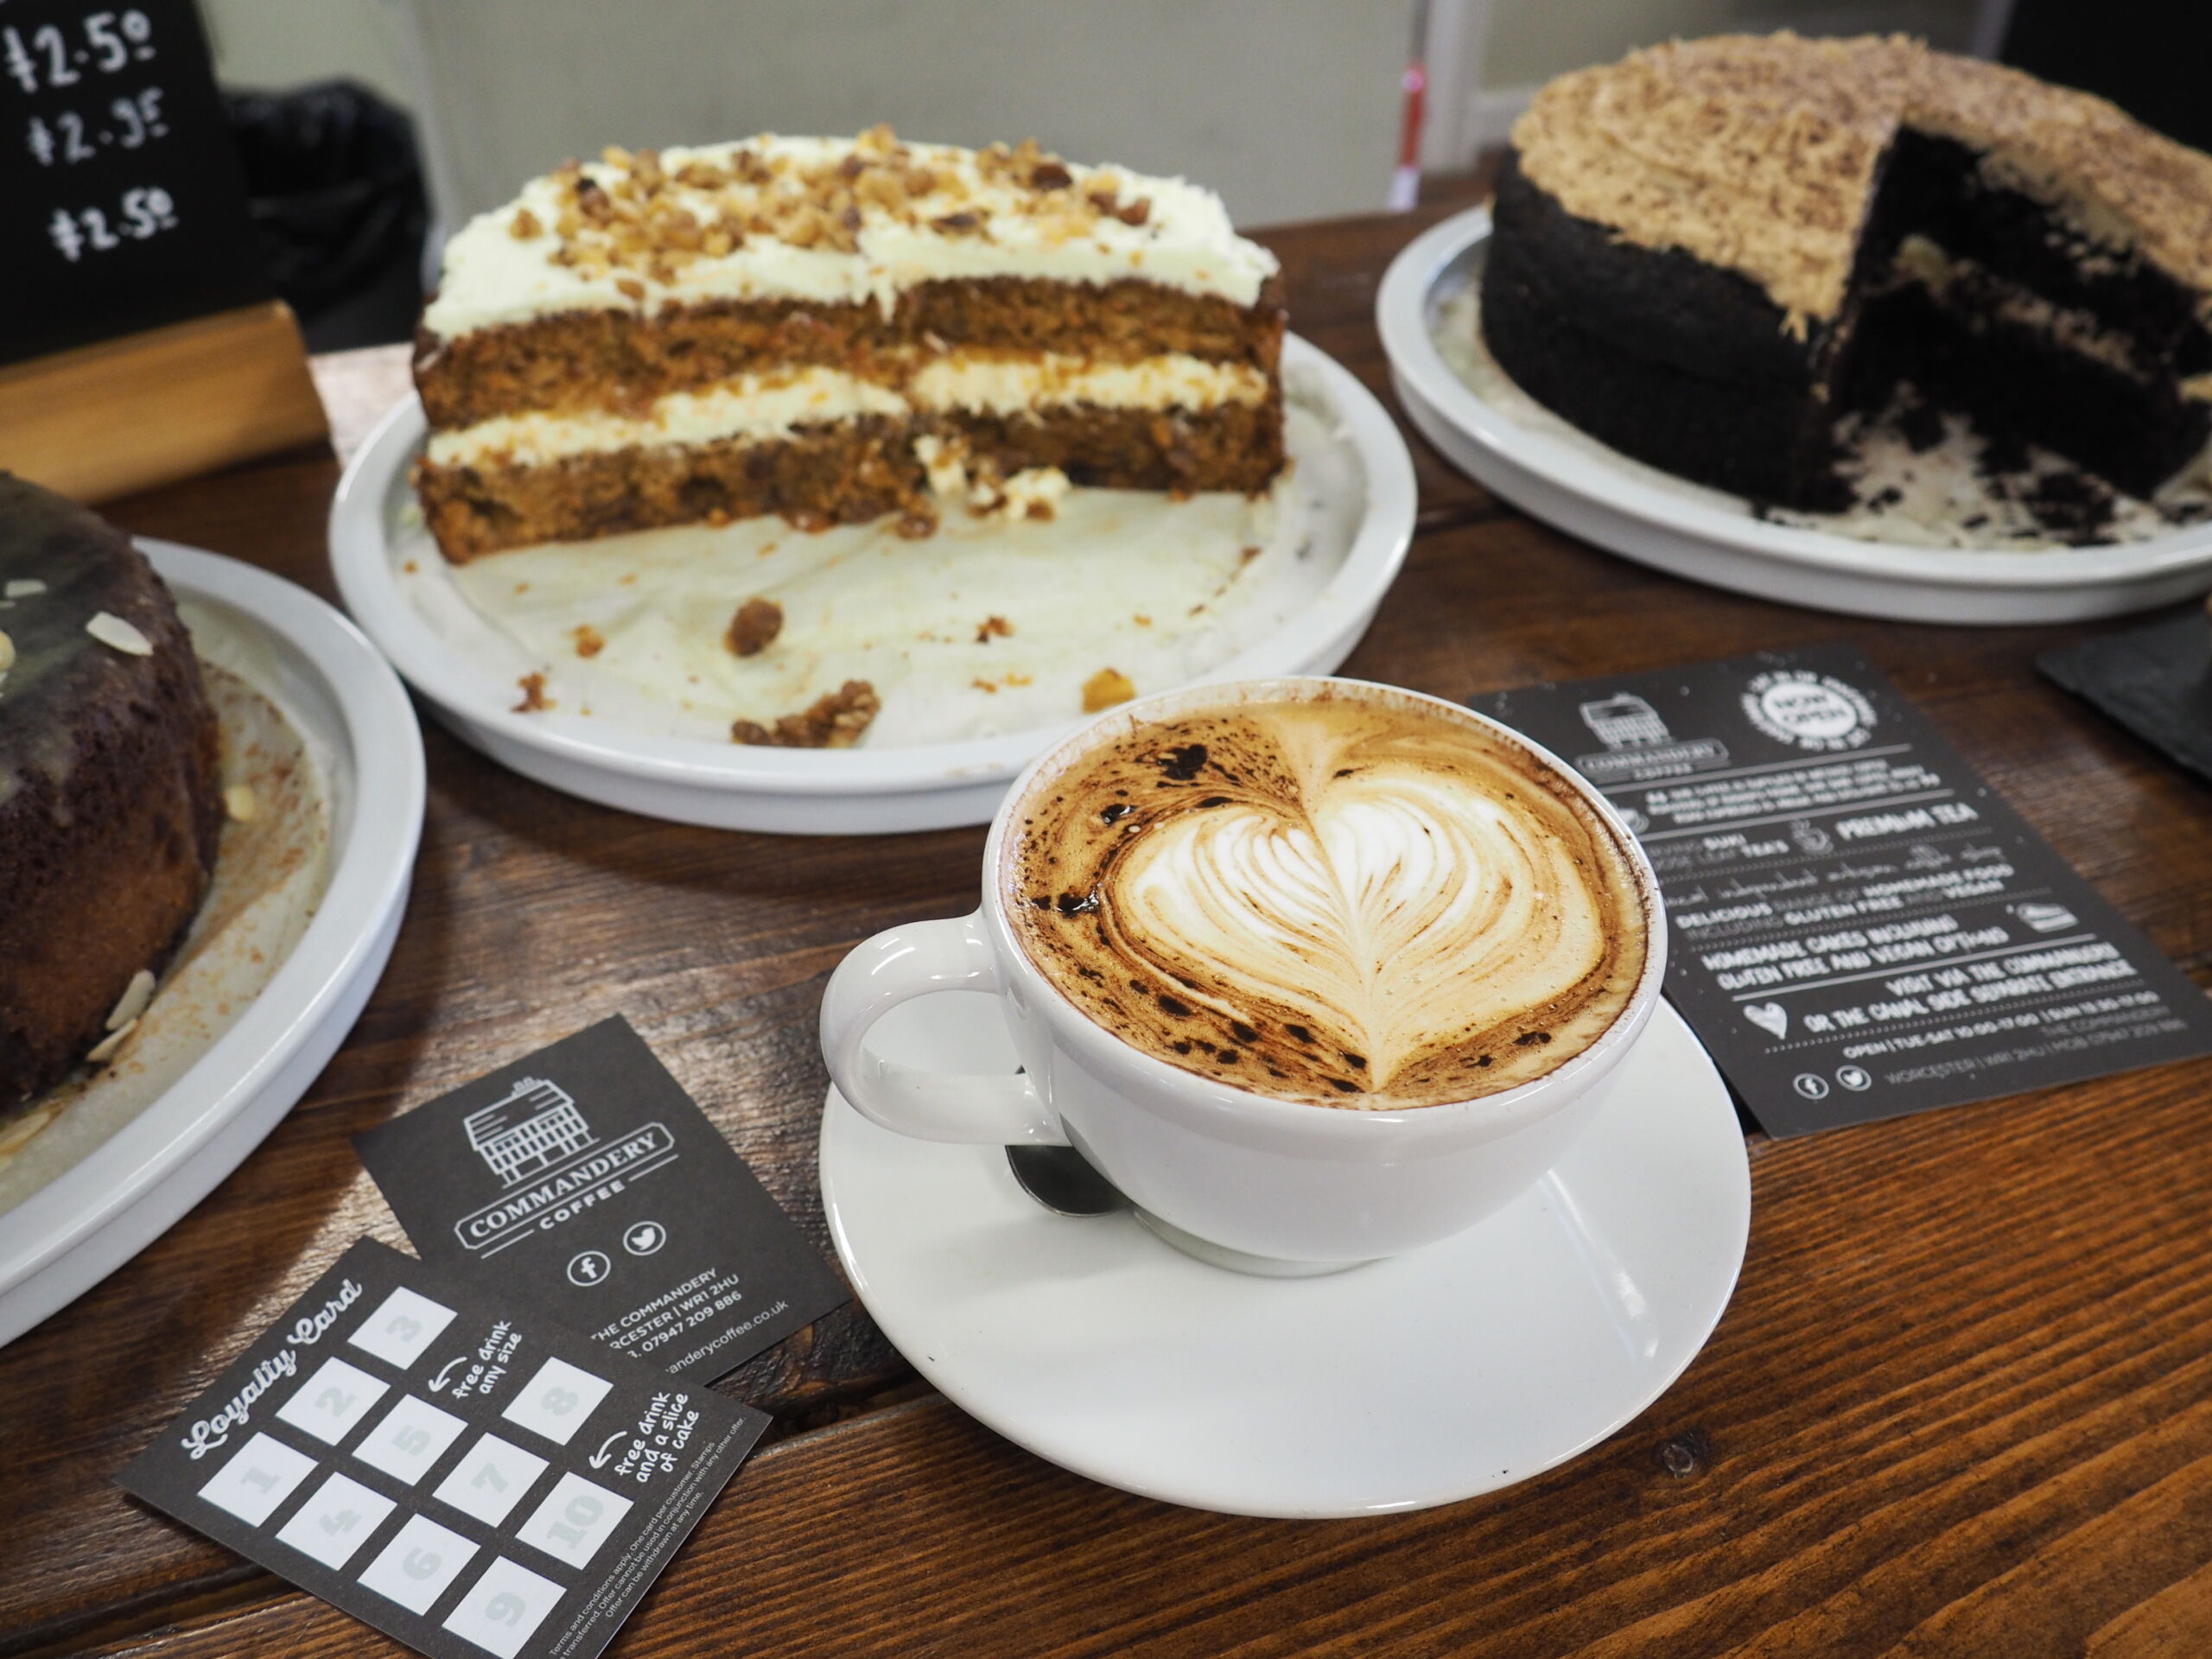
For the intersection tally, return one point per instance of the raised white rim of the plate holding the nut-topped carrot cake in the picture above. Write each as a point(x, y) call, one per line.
point(862, 791)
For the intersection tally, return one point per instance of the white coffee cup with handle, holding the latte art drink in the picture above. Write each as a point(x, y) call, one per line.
point(1238, 1178)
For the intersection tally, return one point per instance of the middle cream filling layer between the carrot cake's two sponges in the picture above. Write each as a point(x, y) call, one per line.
point(766, 408)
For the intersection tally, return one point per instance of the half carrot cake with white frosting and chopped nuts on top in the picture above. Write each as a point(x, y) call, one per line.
point(837, 331)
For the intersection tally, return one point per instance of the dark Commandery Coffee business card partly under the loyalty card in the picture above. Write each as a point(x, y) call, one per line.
point(585, 1180)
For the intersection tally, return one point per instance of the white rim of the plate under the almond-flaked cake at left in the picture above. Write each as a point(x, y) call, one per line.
point(353, 709)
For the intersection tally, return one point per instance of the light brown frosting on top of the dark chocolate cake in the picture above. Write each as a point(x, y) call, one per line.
point(1760, 154)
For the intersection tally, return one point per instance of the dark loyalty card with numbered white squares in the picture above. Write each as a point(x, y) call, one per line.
point(459, 1472)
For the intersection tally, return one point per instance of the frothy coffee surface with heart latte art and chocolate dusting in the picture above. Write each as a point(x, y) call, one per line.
point(1348, 899)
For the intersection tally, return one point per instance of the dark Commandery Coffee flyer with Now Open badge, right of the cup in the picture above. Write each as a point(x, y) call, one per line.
point(1857, 924)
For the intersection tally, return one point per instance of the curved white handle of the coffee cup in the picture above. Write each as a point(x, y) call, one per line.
point(895, 968)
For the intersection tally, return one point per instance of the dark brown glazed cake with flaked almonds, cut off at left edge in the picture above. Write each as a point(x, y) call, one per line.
point(109, 800)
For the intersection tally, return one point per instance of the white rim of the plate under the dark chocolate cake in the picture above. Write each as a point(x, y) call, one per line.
point(1638, 512)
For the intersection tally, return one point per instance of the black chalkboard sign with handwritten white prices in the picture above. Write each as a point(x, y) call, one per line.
point(121, 196)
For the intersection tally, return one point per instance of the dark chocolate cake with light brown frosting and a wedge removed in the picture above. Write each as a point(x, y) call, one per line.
point(1711, 251)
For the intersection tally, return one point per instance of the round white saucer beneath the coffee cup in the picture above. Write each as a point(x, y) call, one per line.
point(1404, 1384)
